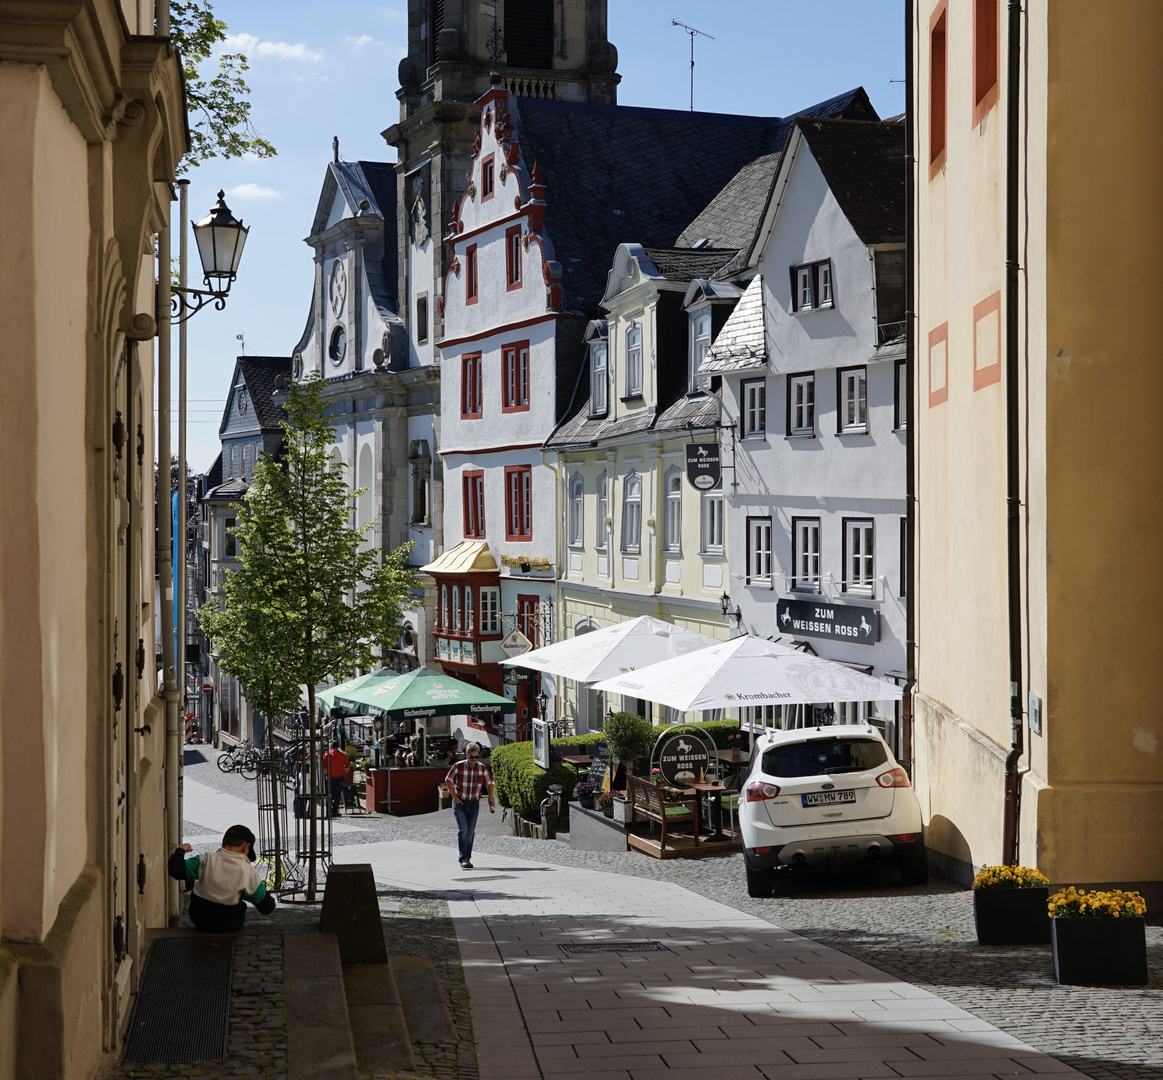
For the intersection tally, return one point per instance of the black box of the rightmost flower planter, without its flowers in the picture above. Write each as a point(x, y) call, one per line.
point(1100, 952)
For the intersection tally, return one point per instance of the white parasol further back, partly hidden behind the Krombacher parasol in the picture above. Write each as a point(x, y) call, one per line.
point(613, 650)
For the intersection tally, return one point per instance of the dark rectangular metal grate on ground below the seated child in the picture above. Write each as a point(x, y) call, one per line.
point(183, 1009)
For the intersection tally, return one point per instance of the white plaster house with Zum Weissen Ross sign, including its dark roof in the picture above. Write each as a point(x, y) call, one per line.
point(812, 368)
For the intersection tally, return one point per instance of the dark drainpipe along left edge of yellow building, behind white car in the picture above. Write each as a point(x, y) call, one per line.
point(907, 703)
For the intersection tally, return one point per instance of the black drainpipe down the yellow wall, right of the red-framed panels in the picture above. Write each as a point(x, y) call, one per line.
point(1010, 836)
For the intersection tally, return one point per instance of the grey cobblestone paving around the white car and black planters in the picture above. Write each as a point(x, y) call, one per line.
point(922, 935)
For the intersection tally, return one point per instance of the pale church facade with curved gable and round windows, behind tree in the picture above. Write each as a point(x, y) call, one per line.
point(384, 398)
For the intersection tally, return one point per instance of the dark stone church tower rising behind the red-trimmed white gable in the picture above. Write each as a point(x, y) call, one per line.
point(544, 49)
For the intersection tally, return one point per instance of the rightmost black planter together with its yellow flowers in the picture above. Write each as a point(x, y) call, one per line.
point(1100, 939)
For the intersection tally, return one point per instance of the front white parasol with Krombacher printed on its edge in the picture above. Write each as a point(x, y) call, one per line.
point(746, 673)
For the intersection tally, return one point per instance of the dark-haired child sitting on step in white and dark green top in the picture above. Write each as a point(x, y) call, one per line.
point(223, 881)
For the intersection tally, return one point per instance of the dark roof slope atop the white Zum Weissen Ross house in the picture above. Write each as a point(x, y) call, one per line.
point(865, 166)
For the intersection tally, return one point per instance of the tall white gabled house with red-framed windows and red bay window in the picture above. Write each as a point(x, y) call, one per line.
point(509, 357)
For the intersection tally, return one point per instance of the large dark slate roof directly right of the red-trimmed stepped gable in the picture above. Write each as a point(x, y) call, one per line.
point(617, 173)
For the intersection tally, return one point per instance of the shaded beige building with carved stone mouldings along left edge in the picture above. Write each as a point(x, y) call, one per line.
point(94, 127)
